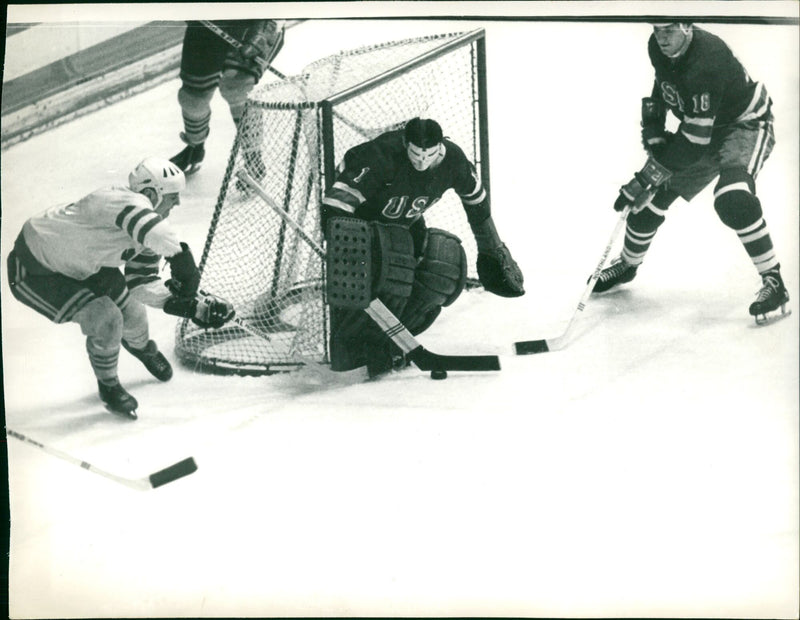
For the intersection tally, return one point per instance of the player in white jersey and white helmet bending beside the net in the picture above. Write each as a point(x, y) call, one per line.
point(66, 265)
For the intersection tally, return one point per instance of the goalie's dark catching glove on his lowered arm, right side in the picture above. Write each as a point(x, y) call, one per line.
point(497, 270)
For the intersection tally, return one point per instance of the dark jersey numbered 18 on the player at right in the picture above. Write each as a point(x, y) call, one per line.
point(706, 88)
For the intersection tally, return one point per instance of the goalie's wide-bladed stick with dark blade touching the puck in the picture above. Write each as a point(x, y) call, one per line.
point(385, 319)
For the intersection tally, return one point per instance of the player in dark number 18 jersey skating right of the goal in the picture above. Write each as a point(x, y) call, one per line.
point(725, 132)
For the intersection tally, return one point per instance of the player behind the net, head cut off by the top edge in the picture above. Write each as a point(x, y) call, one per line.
point(208, 62)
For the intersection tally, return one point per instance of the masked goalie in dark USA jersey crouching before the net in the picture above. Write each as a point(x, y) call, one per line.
point(391, 182)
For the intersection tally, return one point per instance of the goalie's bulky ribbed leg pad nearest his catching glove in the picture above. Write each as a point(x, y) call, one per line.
point(440, 279)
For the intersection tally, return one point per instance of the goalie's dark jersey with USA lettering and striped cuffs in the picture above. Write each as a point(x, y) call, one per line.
point(376, 182)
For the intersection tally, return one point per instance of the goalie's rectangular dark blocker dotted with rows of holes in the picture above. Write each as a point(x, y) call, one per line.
point(349, 263)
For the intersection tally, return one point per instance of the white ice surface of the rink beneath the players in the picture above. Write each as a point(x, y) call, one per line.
point(649, 469)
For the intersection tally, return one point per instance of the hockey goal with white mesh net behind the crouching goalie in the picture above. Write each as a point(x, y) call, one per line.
point(293, 134)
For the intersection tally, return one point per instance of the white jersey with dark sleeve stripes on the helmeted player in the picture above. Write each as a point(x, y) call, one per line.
point(104, 229)
